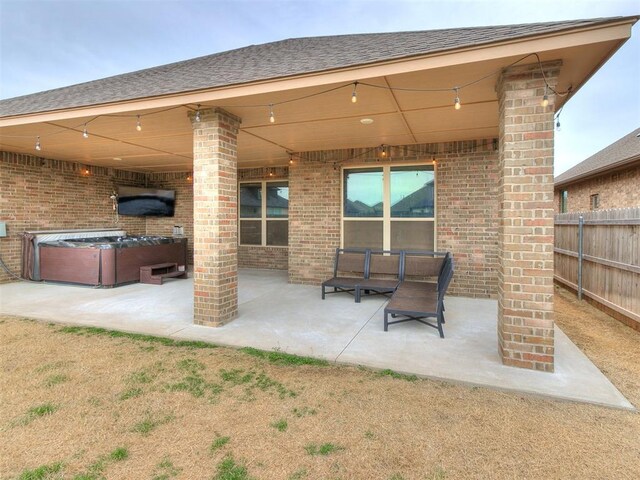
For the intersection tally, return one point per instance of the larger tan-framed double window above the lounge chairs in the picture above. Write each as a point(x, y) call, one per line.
point(389, 207)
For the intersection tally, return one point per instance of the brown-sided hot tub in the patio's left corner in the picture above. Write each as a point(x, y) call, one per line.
point(107, 261)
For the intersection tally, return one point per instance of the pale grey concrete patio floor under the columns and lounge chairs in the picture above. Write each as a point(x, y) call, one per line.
point(292, 318)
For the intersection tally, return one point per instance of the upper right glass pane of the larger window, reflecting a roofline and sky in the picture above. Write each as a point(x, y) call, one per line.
point(412, 192)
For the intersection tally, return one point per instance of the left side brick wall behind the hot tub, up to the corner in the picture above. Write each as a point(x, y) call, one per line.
point(42, 194)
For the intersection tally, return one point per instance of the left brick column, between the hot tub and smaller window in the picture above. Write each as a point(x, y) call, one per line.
point(215, 194)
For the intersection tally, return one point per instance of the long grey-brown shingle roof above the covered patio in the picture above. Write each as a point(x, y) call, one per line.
point(275, 60)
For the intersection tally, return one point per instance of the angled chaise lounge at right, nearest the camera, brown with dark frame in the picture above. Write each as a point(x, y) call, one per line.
point(420, 301)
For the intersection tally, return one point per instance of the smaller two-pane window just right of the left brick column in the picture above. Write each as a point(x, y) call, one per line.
point(264, 213)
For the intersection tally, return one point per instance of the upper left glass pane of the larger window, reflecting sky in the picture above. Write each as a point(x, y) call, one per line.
point(363, 193)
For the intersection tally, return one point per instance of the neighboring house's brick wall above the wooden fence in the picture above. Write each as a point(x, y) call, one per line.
point(618, 189)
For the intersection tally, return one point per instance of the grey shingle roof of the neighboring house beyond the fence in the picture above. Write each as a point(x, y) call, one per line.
point(618, 154)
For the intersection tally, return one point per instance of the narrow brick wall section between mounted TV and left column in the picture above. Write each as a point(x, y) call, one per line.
point(182, 183)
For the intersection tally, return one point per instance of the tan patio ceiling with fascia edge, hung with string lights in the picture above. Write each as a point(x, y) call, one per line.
point(325, 121)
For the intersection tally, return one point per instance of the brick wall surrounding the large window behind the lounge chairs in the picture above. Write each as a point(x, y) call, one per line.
point(467, 206)
